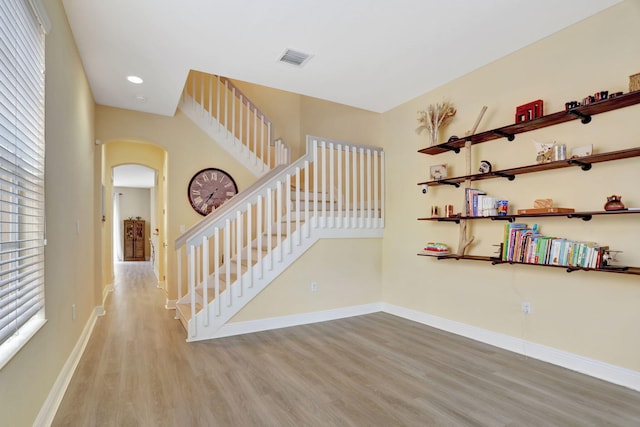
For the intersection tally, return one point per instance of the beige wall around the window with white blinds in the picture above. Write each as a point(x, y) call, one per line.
point(70, 198)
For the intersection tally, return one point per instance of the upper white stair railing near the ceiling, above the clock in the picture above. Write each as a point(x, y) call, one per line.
point(221, 109)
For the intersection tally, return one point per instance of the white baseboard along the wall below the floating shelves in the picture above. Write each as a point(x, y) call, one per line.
point(604, 371)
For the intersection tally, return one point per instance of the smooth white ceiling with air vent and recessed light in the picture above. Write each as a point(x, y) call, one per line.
point(371, 54)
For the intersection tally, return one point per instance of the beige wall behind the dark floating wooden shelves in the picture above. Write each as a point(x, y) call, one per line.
point(590, 314)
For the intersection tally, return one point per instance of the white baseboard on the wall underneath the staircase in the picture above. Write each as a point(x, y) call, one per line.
point(239, 328)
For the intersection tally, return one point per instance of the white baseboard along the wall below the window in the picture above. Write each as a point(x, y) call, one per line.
point(51, 404)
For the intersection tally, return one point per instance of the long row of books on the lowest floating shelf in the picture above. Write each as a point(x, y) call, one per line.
point(526, 244)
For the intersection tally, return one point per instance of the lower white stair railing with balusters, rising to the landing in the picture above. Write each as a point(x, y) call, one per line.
point(335, 190)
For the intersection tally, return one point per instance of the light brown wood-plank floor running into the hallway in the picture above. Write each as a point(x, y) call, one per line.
point(372, 370)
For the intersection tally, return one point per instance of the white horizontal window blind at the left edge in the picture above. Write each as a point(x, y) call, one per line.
point(22, 221)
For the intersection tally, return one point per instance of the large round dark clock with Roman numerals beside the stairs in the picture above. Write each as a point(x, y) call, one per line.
point(209, 189)
